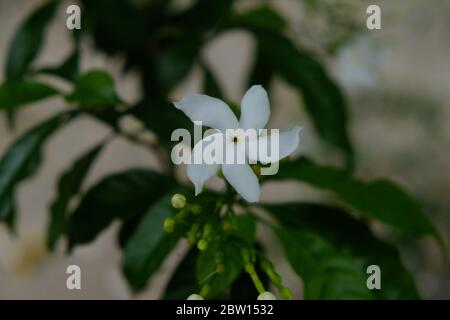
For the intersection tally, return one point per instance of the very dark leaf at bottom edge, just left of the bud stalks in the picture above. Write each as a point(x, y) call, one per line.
point(183, 281)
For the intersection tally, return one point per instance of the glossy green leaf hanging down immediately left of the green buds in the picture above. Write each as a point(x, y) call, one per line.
point(149, 245)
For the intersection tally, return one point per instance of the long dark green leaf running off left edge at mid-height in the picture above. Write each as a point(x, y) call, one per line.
point(21, 160)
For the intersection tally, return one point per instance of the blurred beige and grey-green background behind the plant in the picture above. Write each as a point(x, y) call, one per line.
point(396, 81)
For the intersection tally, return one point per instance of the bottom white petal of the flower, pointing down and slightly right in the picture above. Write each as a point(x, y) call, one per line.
point(243, 180)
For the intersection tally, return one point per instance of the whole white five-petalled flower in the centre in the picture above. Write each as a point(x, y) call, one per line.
point(214, 113)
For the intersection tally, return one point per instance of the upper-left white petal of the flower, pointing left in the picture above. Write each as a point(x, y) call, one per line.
point(212, 112)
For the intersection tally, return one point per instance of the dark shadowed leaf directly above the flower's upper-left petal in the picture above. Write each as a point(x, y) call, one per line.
point(176, 61)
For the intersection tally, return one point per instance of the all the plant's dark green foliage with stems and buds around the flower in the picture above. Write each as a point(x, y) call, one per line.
point(329, 247)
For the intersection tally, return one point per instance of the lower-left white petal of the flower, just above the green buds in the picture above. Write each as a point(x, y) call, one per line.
point(199, 173)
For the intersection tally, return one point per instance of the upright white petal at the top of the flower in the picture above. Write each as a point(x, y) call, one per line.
point(255, 108)
